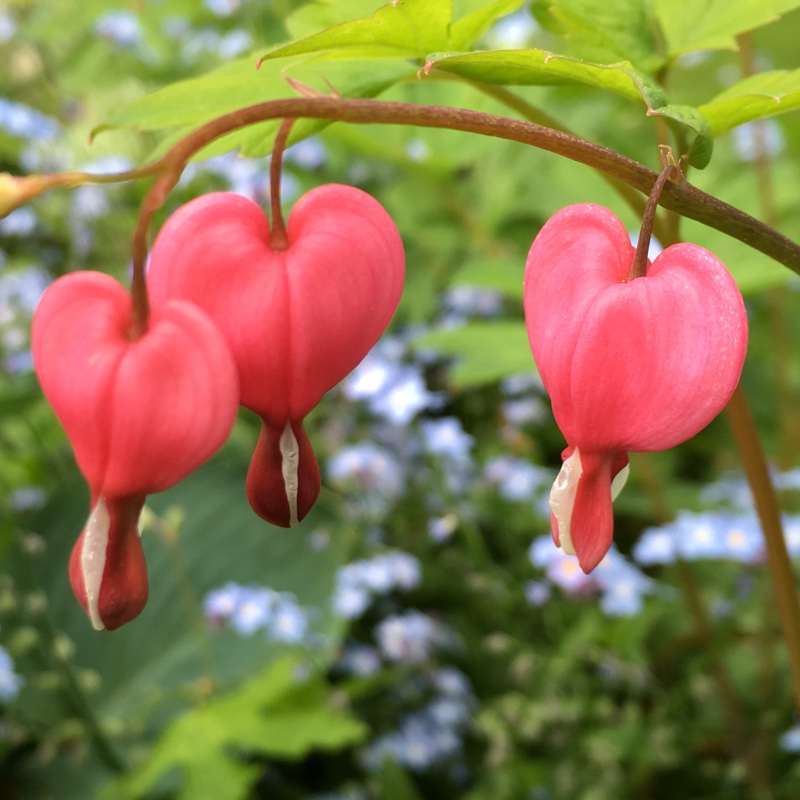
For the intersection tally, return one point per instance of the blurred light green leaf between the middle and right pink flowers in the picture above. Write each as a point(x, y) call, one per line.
point(484, 351)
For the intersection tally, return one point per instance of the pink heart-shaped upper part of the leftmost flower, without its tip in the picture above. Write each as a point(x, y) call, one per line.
point(140, 414)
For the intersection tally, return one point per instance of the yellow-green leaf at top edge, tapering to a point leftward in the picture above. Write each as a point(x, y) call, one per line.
point(404, 29)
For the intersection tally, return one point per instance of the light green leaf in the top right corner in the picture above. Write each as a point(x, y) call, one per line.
point(690, 25)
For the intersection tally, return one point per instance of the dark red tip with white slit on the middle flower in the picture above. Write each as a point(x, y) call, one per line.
point(283, 481)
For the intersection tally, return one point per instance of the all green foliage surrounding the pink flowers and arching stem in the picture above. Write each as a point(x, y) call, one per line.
point(170, 708)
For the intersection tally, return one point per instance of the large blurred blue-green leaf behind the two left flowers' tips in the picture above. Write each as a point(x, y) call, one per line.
point(145, 666)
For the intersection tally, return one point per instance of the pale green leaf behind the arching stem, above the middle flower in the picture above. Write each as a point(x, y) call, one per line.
point(184, 106)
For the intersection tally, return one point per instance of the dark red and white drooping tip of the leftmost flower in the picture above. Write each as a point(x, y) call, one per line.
point(107, 568)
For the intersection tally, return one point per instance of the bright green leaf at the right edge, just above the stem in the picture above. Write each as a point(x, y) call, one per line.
point(758, 96)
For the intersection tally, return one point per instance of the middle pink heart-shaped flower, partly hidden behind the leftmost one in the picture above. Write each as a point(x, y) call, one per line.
point(297, 319)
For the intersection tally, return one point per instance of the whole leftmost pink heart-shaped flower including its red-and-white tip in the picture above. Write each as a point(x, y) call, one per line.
point(141, 414)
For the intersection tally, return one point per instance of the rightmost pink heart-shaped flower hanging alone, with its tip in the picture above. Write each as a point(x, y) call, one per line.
point(637, 365)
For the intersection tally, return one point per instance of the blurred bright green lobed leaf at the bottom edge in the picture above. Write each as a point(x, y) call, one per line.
point(280, 714)
